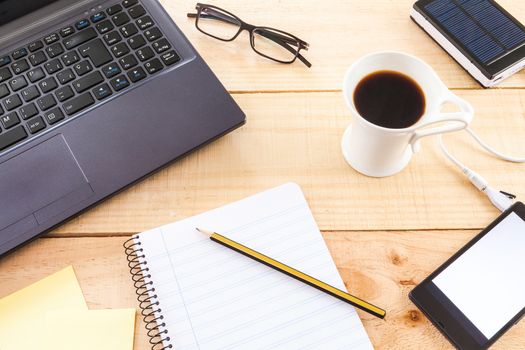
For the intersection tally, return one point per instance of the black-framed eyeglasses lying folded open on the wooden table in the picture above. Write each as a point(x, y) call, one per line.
point(271, 43)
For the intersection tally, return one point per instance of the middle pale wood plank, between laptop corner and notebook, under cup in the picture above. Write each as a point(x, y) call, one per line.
point(296, 137)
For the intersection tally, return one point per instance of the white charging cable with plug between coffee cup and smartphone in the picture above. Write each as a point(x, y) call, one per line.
point(500, 200)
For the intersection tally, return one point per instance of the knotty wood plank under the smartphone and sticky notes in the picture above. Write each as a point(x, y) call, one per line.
point(381, 267)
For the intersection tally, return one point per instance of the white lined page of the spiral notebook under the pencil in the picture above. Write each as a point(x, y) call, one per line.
point(214, 298)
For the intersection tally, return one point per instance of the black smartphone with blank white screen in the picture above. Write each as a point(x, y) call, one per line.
point(479, 293)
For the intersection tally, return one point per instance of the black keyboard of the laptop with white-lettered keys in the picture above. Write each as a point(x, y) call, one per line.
point(50, 80)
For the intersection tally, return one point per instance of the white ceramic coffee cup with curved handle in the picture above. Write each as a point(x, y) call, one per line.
point(378, 151)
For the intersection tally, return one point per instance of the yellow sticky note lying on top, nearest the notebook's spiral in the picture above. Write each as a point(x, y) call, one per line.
point(89, 330)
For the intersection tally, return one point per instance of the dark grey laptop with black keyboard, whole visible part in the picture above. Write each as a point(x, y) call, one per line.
point(94, 96)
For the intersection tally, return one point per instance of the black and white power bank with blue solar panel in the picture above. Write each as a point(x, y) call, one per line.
point(486, 40)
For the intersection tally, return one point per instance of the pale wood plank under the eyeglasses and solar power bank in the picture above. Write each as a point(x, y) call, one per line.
point(339, 32)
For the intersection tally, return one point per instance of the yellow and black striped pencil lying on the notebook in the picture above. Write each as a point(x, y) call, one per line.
point(344, 296)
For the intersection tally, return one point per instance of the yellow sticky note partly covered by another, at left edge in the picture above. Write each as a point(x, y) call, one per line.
point(22, 314)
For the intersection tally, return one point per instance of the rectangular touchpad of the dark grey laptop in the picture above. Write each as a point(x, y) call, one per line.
point(39, 184)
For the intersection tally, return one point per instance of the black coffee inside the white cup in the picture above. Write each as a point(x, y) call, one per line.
point(389, 99)
